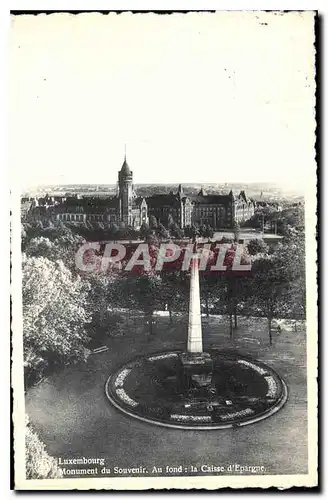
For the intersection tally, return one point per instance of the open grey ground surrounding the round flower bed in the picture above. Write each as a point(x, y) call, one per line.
point(74, 418)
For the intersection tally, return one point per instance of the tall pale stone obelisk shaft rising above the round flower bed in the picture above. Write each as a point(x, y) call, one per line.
point(195, 336)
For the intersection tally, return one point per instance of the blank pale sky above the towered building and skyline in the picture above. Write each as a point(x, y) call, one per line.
point(226, 97)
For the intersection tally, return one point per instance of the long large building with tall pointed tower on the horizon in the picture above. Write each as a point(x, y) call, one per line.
point(216, 210)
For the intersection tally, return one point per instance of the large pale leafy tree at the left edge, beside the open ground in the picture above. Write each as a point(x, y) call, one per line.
point(54, 311)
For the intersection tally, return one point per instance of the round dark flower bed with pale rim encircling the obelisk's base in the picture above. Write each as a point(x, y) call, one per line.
point(237, 391)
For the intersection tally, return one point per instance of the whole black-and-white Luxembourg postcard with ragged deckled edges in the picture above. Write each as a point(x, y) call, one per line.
point(163, 219)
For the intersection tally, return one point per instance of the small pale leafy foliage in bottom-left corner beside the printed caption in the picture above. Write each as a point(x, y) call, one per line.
point(38, 463)
